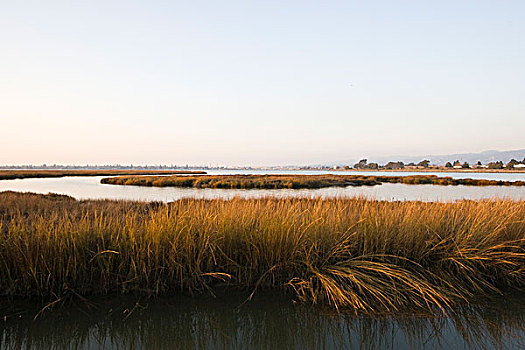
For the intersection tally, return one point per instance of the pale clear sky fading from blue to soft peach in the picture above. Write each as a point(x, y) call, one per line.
point(258, 82)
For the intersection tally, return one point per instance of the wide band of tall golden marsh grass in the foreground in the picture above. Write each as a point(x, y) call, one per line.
point(352, 254)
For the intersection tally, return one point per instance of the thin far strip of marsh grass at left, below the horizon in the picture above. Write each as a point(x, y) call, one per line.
point(25, 174)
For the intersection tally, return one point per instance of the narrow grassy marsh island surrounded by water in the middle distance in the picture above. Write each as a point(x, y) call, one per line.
point(295, 181)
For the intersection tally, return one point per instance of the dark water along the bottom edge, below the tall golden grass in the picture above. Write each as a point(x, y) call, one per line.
point(267, 322)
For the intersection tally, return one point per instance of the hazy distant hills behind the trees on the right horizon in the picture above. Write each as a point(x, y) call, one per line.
point(485, 157)
